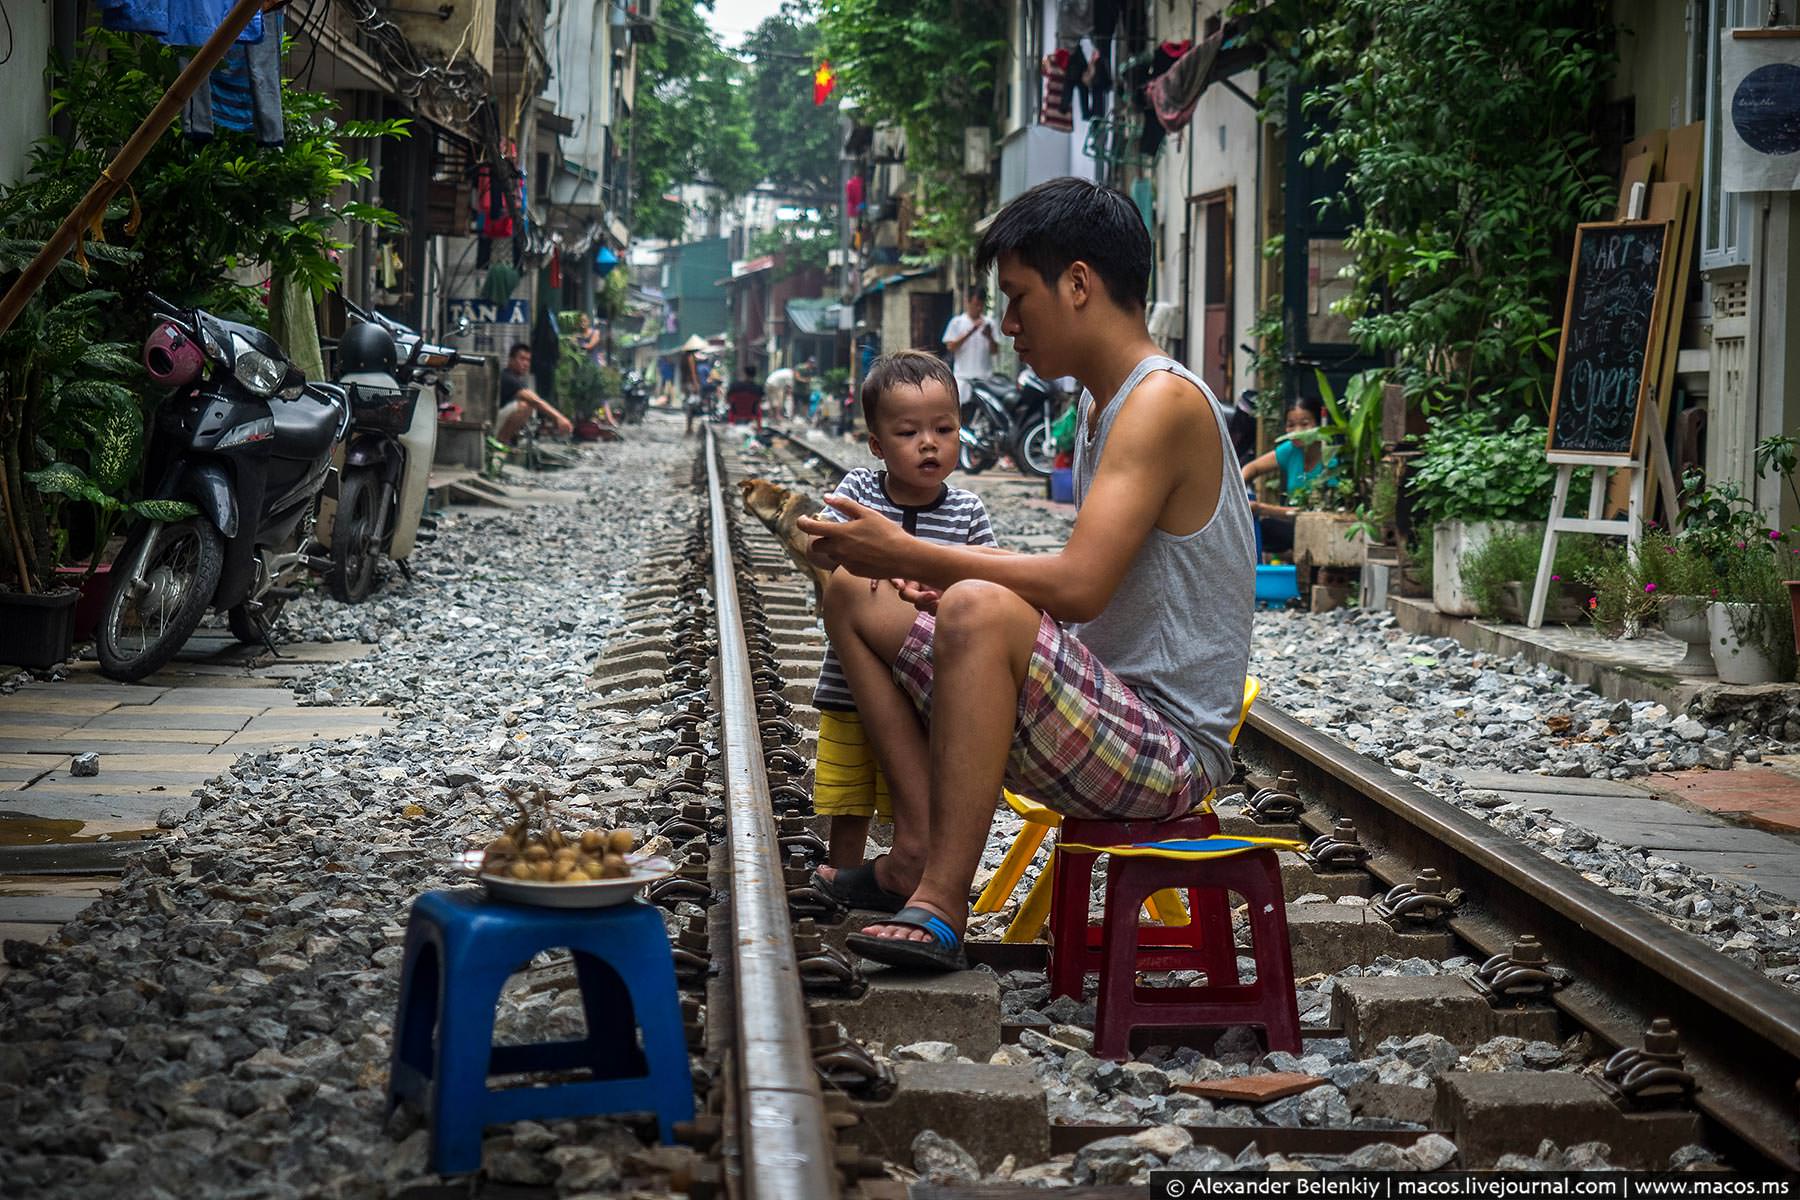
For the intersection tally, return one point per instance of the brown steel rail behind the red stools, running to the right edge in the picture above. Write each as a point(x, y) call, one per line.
point(1740, 1030)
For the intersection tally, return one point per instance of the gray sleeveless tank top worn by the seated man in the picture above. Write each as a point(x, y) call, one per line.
point(1178, 627)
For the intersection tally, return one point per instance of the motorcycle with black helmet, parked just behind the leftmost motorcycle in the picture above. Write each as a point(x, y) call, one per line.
point(384, 368)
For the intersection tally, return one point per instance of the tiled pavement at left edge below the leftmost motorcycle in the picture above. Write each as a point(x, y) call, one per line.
point(157, 740)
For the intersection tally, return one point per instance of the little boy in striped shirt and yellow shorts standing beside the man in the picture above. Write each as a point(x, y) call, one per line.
point(912, 415)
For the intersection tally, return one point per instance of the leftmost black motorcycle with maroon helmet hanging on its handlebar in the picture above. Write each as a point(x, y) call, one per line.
point(246, 445)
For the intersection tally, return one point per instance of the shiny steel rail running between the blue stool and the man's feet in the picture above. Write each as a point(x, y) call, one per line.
point(780, 1104)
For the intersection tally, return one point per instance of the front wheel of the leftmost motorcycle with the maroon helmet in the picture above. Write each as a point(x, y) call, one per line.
point(139, 634)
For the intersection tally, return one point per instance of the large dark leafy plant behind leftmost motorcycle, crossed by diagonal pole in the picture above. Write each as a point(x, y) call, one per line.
point(219, 215)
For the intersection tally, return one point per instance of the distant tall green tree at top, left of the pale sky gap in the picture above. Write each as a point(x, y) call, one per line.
point(692, 121)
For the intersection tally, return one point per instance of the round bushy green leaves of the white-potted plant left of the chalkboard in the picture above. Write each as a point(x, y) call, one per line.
point(1470, 472)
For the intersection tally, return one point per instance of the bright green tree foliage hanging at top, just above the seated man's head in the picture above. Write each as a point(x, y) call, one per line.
point(928, 67)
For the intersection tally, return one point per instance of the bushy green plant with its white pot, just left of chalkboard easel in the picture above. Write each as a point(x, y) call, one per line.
point(1473, 485)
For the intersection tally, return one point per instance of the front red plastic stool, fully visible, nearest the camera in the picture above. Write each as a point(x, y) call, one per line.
point(1266, 1003)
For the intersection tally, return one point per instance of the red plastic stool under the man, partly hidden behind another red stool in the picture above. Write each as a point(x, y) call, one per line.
point(1077, 945)
